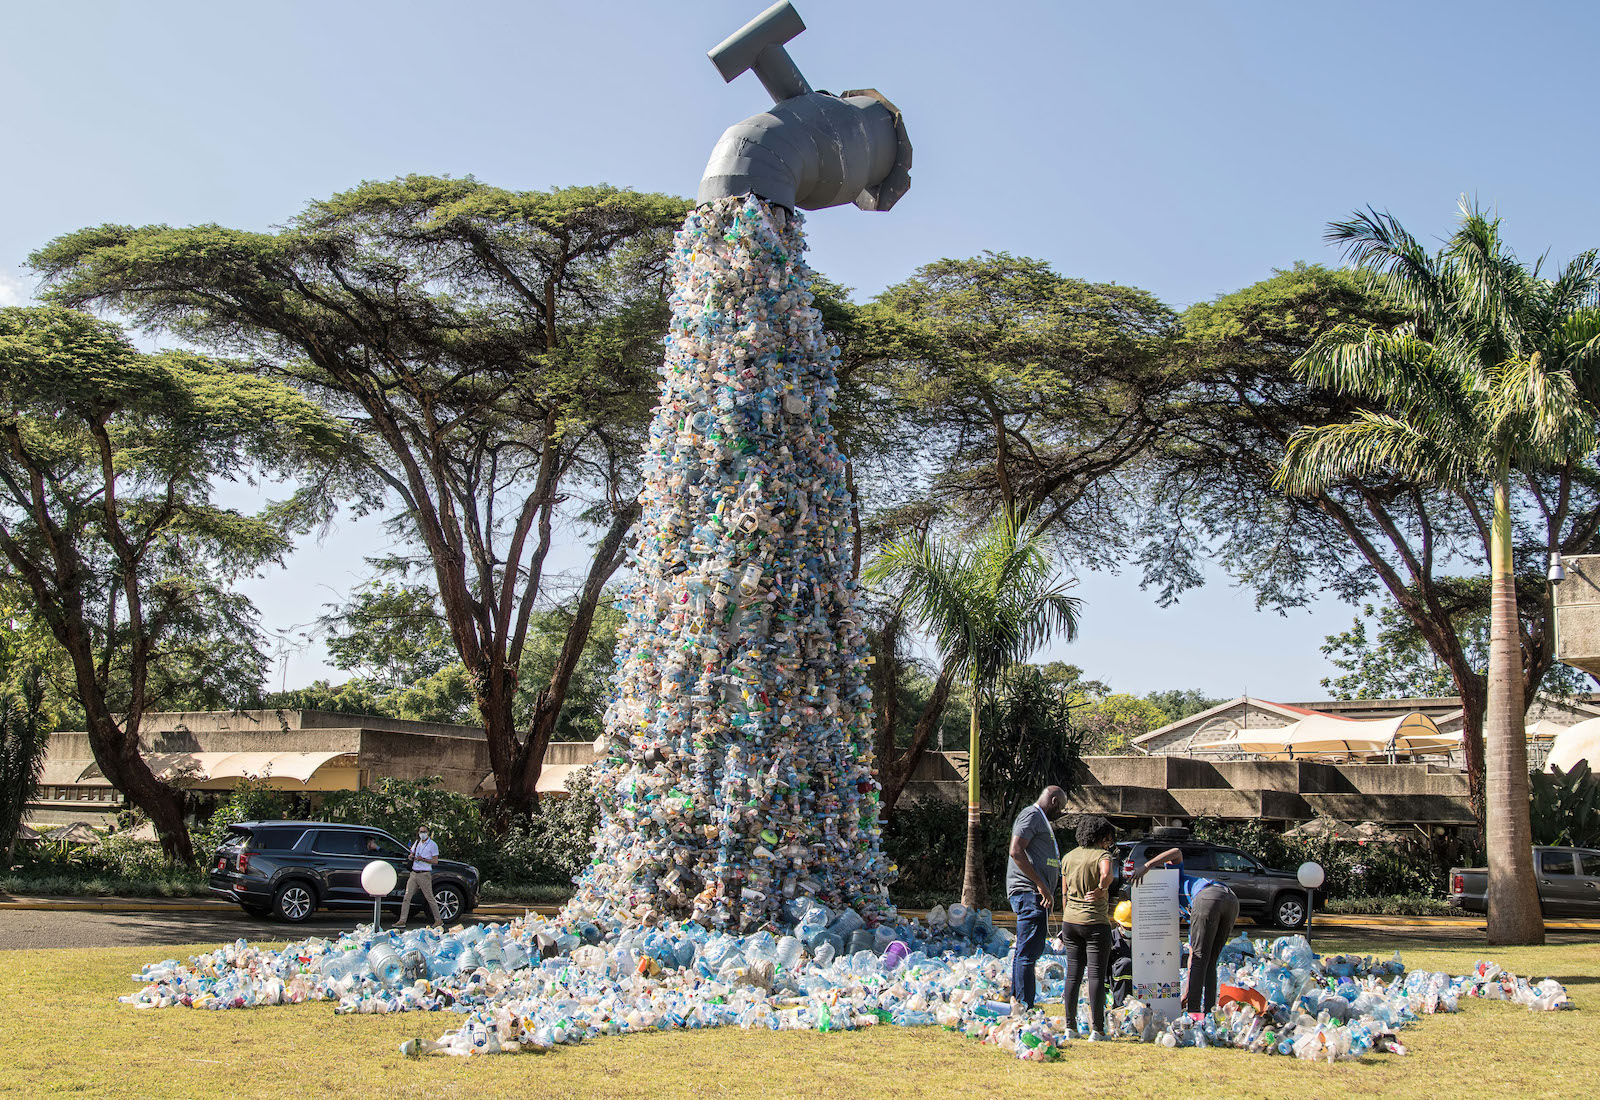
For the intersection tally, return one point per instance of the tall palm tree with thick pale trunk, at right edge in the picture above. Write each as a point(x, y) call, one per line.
point(1498, 372)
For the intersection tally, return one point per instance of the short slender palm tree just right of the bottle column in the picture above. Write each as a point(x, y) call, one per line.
point(990, 602)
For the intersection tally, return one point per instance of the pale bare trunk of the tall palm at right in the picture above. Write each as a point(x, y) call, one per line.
point(1513, 893)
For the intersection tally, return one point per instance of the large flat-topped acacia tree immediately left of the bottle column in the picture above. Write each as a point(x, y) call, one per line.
point(498, 353)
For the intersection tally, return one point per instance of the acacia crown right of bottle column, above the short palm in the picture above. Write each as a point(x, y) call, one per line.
point(1031, 391)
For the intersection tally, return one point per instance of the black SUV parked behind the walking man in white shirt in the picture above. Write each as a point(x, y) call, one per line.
point(289, 869)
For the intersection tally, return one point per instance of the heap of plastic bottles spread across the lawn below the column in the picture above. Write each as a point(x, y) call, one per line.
point(542, 982)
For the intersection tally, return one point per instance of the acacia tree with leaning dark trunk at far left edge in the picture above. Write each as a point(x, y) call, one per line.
point(108, 524)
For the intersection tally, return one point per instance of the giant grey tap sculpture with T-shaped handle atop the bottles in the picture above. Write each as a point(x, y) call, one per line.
point(812, 149)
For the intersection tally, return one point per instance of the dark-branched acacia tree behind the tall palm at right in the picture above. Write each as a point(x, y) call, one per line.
point(1214, 500)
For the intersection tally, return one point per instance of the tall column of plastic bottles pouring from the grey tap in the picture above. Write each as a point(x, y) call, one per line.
point(737, 762)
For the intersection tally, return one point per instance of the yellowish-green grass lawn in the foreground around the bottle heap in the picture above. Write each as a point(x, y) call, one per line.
point(70, 1037)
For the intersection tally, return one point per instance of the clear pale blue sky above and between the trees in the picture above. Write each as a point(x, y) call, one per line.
point(1183, 148)
